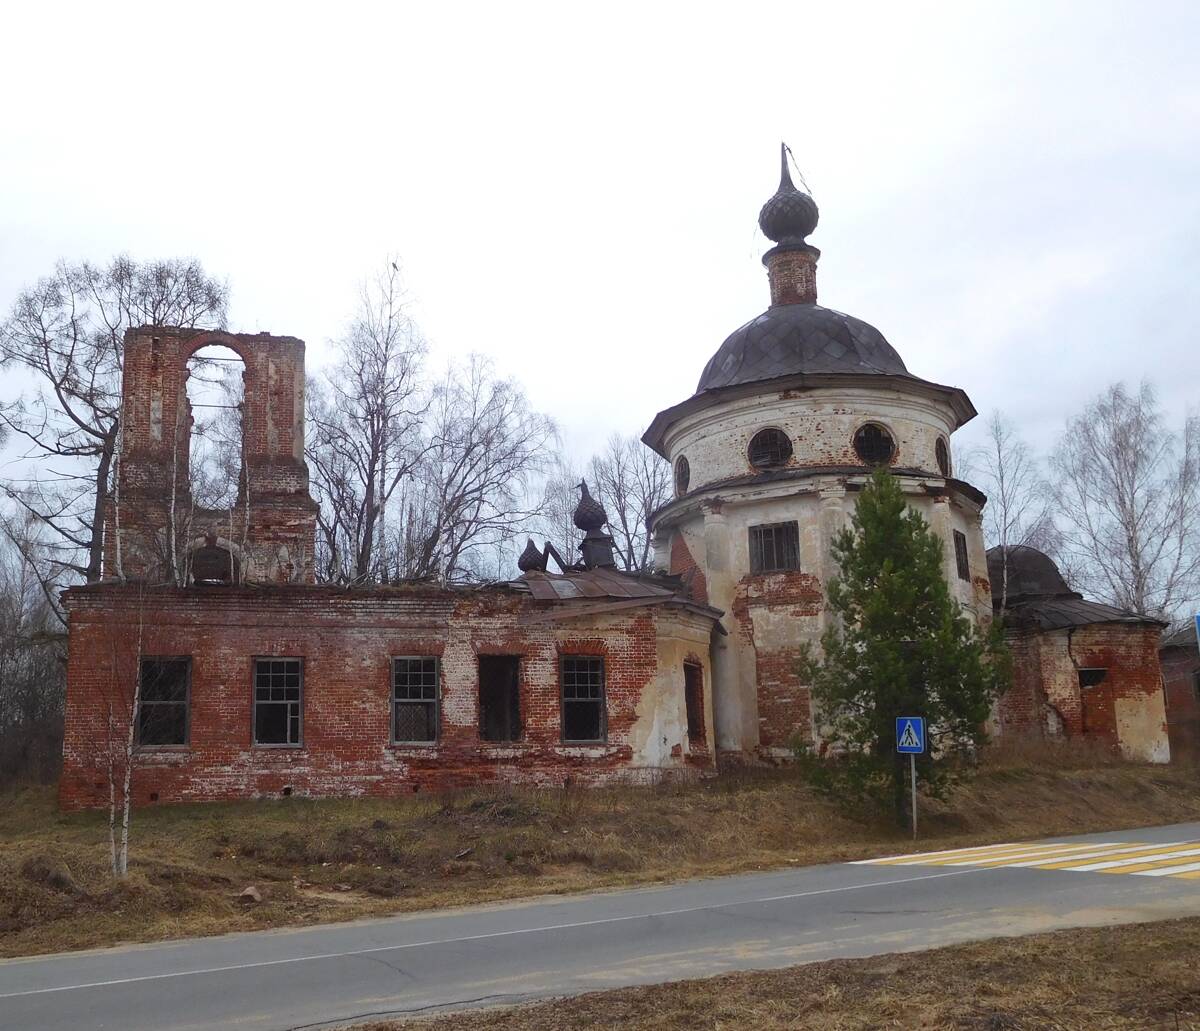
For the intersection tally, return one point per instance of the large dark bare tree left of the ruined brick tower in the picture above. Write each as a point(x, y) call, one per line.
point(69, 332)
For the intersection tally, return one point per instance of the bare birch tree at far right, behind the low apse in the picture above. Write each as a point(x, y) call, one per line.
point(1129, 501)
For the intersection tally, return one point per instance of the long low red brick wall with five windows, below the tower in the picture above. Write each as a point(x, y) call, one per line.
point(347, 639)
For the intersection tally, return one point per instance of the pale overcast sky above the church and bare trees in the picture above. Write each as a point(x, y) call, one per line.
point(1011, 193)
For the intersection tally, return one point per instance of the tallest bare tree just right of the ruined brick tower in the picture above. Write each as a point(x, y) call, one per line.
point(365, 429)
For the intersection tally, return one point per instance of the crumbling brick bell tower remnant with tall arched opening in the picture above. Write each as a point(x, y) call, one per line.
point(271, 529)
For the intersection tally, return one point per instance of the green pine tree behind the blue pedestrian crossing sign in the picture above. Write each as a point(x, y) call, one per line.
point(898, 645)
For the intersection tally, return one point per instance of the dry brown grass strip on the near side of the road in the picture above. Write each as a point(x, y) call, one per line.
point(1141, 976)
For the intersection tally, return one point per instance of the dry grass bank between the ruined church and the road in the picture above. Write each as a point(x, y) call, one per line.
point(317, 861)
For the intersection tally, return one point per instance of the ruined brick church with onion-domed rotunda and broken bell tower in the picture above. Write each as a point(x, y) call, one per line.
point(254, 681)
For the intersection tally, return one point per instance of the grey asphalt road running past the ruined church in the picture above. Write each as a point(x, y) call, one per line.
point(507, 954)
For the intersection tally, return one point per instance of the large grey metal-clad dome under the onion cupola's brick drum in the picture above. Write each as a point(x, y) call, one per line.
point(788, 340)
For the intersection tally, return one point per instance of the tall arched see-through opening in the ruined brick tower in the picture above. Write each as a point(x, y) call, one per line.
point(217, 387)
